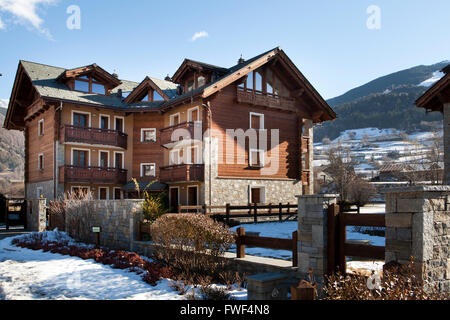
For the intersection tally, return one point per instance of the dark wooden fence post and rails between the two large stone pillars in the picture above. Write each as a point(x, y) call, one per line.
point(338, 247)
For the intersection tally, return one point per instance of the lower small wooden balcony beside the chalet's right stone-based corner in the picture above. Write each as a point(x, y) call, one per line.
point(182, 173)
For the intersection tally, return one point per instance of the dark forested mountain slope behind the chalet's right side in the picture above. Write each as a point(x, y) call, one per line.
point(386, 102)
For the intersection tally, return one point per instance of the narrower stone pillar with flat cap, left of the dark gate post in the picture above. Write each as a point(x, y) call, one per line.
point(312, 234)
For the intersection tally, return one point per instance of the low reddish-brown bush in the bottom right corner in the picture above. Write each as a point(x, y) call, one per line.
point(397, 283)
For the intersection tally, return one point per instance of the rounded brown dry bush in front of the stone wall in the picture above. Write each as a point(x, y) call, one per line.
point(192, 244)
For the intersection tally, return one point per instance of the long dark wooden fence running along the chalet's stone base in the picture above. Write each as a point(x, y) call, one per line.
point(255, 211)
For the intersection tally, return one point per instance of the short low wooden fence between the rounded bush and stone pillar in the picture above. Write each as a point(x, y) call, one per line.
point(243, 240)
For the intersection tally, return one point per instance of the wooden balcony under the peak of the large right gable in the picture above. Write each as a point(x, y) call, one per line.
point(259, 98)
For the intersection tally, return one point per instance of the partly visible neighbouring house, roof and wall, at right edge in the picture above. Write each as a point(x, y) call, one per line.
point(437, 98)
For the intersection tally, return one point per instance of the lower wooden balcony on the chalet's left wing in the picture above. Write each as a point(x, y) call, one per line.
point(92, 175)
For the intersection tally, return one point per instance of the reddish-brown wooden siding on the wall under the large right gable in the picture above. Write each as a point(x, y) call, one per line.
point(227, 114)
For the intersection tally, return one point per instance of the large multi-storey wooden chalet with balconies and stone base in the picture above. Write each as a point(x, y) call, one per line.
point(86, 129)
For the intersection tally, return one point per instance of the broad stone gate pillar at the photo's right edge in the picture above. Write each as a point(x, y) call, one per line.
point(418, 228)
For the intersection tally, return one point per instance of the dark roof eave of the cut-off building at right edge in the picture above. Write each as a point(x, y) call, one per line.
point(438, 94)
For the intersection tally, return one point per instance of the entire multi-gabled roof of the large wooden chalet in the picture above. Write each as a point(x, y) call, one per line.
point(46, 80)
